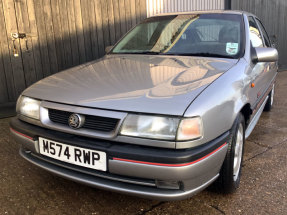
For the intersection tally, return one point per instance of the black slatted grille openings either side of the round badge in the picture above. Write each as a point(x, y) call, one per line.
point(96, 123)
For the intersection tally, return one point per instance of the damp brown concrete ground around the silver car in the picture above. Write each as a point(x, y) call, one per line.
point(26, 189)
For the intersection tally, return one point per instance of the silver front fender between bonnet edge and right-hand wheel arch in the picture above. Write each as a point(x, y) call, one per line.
point(219, 104)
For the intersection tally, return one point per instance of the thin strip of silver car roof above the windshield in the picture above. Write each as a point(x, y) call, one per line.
point(206, 12)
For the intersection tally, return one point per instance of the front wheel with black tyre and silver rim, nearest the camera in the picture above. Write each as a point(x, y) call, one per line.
point(230, 172)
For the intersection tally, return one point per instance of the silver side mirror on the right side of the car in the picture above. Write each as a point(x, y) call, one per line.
point(265, 55)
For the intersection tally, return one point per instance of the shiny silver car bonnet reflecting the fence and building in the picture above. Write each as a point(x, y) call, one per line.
point(133, 83)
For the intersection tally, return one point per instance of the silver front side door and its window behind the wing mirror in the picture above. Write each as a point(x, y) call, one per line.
point(259, 72)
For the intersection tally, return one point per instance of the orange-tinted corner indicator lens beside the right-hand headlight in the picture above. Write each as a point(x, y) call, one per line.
point(190, 129)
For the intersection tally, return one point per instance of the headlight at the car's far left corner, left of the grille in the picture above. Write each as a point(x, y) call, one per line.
point(28, 107)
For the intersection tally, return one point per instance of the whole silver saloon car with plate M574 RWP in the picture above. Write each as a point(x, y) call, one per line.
point(163, 115)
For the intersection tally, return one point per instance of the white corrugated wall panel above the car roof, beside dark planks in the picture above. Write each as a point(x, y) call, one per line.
point(168, 6)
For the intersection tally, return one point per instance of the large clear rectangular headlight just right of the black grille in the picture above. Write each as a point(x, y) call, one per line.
point(154, 127)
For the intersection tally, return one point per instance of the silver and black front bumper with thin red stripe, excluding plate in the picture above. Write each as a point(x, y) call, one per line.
point(133, 170)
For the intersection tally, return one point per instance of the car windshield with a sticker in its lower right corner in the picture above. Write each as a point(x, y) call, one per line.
point(207, 35)
